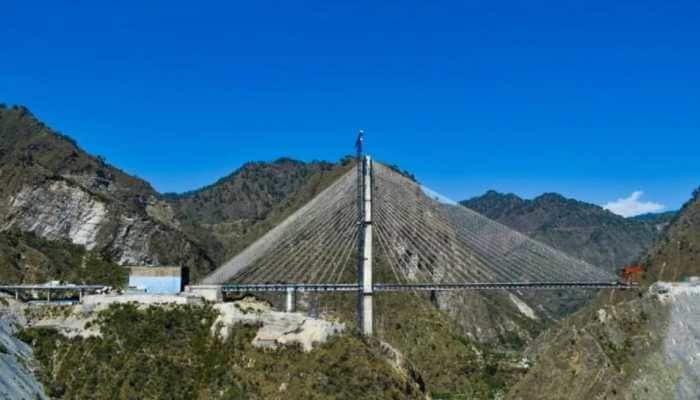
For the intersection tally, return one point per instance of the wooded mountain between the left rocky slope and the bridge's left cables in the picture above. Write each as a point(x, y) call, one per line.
point(236, 208)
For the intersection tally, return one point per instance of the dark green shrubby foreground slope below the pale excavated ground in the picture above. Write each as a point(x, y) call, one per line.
point(170, 353)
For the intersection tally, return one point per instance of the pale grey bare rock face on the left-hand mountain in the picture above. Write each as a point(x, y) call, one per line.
point(63, 209)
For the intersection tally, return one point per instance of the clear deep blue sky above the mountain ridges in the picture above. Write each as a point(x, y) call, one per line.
point(591, 99)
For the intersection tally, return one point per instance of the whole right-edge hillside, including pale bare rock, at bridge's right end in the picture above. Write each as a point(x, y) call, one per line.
point(636, 344)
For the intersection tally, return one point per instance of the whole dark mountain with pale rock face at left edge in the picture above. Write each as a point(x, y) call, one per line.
point(50, 187)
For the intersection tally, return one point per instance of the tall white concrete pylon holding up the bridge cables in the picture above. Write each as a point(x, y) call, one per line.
point(367, 284)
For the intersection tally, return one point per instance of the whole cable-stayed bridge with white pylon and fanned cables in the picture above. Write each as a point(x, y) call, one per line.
point(377, 230)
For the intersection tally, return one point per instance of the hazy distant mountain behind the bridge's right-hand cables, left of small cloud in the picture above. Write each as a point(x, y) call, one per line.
point(582, 230)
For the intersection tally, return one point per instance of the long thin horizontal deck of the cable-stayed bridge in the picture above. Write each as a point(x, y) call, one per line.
point(390, 287)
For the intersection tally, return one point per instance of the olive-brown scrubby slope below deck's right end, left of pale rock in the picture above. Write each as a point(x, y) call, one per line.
point(603, 351)
